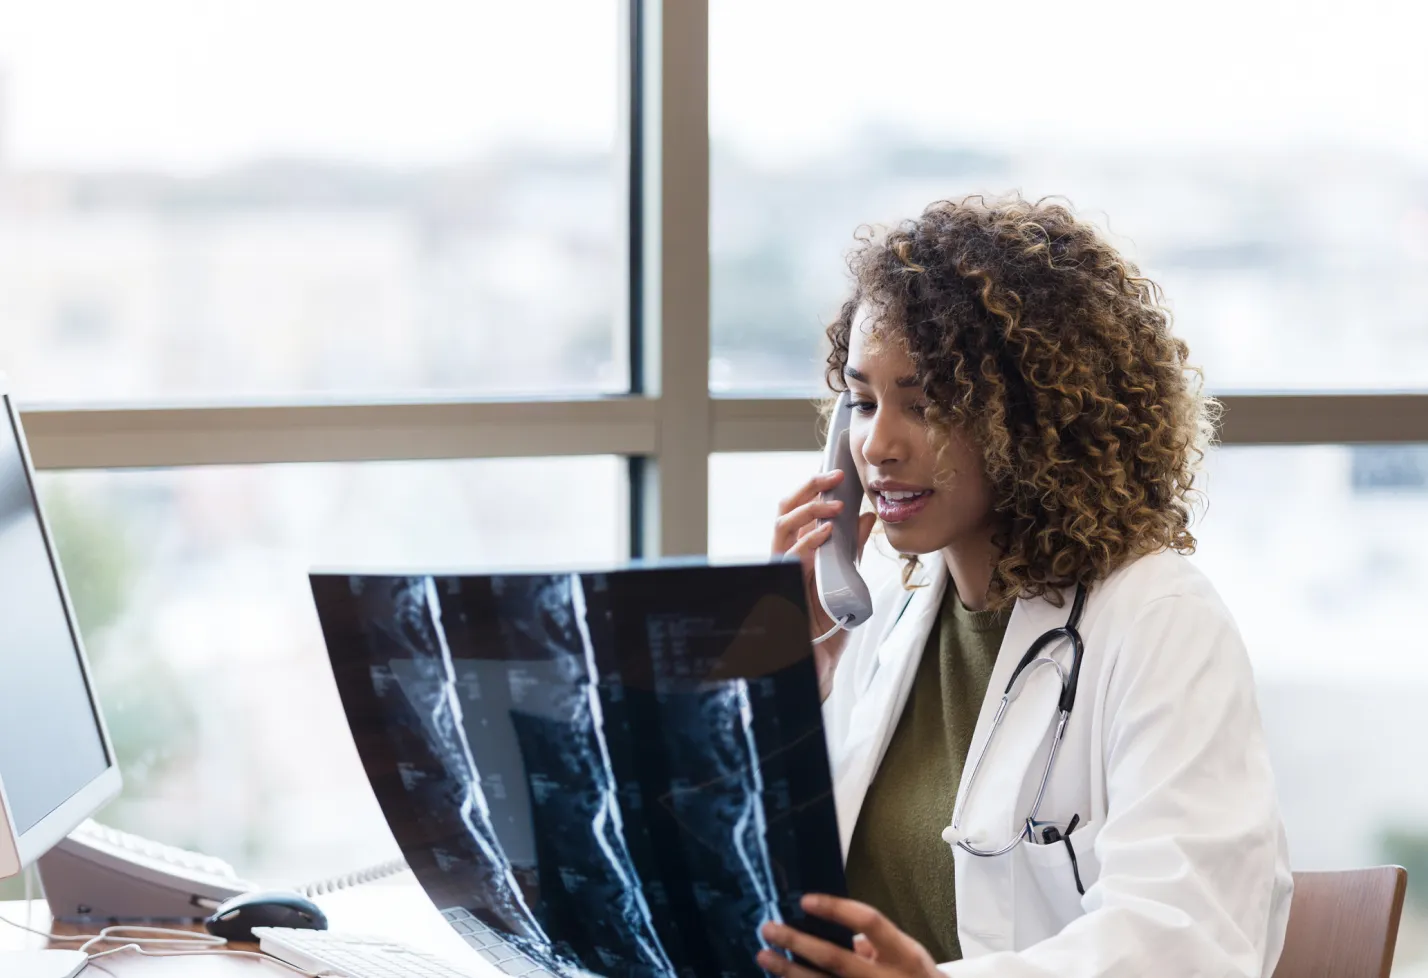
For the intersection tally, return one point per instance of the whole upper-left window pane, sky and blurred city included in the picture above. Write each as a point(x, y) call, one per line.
point(316, 198)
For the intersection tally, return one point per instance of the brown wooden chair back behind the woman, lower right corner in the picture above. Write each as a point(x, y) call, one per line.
point(1343, 924)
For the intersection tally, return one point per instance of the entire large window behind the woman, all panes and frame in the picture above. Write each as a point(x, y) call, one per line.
point(441, 213)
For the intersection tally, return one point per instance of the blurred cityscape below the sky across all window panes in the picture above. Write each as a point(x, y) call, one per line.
point(1304, 269)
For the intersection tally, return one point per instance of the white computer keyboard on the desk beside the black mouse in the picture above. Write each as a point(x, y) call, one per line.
point(352, 956)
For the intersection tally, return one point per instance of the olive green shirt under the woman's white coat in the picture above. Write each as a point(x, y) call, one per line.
point(897, 859)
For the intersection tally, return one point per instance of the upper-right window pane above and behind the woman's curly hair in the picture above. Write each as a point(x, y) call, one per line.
point(1269, 175)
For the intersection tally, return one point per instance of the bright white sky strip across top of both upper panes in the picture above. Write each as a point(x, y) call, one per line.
point(195, 84)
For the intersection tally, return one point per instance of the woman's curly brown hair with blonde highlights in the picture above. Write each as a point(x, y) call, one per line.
point(1055, 355)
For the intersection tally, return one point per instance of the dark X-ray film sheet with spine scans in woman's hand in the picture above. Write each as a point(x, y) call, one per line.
point(596, 773)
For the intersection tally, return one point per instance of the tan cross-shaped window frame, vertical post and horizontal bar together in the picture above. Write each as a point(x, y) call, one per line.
point(669, 423)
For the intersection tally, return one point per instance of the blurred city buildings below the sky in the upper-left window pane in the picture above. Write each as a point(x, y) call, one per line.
point(291, 278)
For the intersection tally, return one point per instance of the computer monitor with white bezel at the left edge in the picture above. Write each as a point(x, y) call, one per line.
point(56, 762)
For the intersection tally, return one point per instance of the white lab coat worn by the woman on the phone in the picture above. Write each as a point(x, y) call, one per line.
point(1180, 843)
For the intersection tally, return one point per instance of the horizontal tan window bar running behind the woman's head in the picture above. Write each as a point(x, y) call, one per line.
point(630, 426)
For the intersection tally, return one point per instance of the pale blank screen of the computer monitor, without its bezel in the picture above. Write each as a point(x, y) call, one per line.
point(51, 739)
